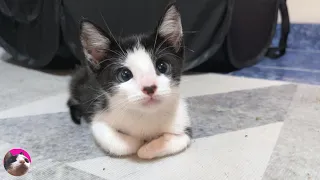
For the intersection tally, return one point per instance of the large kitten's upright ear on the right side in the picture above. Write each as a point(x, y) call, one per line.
point(170, 27)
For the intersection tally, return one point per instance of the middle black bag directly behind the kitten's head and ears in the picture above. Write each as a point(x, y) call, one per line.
point(205, 22)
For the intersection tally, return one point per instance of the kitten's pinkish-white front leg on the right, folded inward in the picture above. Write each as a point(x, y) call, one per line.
point(166, 144)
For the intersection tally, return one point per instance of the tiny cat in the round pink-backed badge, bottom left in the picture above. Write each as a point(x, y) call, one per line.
point(16, 165)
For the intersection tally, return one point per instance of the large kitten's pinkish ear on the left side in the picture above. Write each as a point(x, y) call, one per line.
point(95, 42)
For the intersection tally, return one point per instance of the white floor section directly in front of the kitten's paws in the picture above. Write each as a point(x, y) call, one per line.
point(239, 155)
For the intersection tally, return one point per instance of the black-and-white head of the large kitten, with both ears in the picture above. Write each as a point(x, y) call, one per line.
point(140, 71)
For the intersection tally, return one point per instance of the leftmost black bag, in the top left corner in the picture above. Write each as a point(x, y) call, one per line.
point(30, 30)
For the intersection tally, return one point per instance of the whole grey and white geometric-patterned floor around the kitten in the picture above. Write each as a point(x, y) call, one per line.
point(237, 123)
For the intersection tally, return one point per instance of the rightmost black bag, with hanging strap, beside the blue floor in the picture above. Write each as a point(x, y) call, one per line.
point(248, 37)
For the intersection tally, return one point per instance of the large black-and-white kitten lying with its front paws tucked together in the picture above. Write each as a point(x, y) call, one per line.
point(129, 90)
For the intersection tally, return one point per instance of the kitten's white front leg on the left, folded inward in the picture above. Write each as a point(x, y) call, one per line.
point(114, 142)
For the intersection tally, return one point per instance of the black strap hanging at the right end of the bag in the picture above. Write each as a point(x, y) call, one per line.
point(276, 52)
